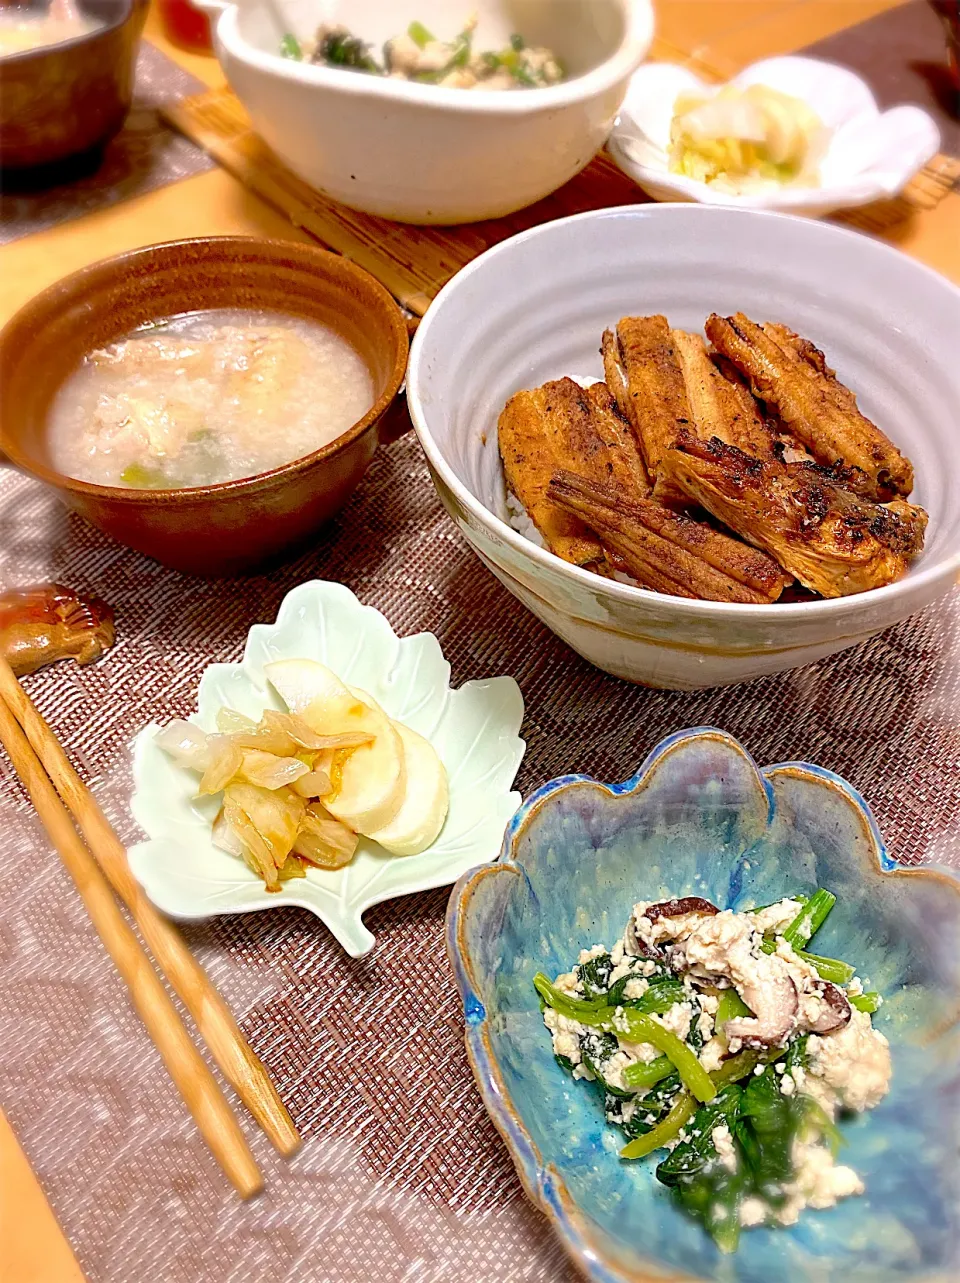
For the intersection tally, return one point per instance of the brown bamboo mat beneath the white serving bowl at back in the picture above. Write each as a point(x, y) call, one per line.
point(416, 262)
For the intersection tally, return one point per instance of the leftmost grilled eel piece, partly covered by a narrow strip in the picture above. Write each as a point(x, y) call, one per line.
point(560, 427)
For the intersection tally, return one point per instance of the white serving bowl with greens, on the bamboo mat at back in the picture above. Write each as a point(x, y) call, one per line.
point(424, 155)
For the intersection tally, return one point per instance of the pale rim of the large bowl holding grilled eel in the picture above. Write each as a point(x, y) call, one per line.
point(787, 613)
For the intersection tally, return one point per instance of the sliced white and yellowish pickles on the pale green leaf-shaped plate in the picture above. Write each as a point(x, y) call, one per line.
point(300, 788)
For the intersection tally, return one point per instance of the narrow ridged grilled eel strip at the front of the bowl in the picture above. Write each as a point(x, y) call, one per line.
point(669, 551)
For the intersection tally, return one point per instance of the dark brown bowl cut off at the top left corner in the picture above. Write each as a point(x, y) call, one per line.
point(67, 101)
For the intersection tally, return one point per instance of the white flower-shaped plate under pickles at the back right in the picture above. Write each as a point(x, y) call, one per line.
point(872, 155)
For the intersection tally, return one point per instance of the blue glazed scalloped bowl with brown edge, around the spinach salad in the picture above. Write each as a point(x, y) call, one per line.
point(700, 818)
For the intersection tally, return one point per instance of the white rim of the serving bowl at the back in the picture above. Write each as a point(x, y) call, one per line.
point(639, 34)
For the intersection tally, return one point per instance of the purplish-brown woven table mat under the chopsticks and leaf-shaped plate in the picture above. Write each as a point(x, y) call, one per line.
point(402, 1178)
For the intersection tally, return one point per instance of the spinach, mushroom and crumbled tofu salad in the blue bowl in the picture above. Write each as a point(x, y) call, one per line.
point(721, 1039)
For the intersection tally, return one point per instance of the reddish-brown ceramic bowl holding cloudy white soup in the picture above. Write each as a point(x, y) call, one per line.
point(219, 529)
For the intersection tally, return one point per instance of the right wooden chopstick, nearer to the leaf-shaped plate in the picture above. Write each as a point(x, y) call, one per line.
point(215, 1021)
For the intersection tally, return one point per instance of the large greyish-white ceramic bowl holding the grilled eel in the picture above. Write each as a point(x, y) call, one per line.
point(535, 309)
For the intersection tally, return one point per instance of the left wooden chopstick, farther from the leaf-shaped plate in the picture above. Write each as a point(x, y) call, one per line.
point(187, 1066)
